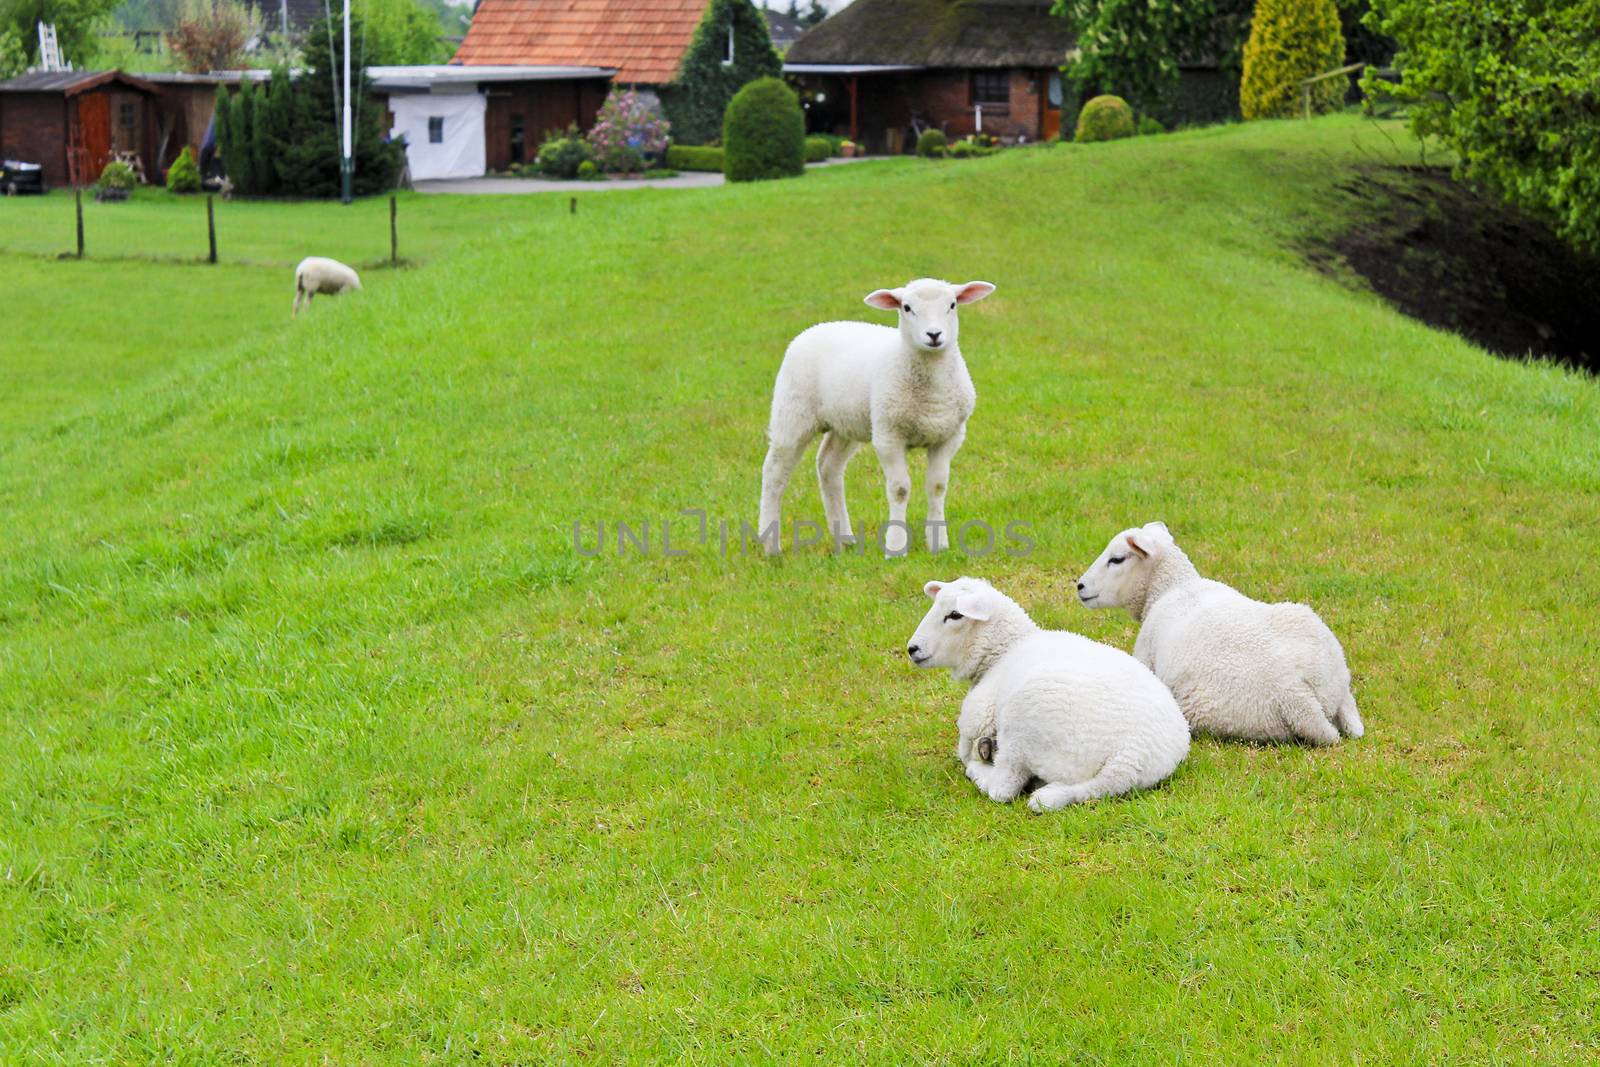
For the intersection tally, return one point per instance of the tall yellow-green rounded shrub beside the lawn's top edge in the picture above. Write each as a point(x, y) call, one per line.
point(1292, 41)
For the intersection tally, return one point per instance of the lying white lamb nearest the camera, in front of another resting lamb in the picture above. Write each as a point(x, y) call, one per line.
point(1084, 717)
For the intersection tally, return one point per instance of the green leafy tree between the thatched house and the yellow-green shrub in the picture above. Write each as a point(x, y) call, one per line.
point(1135, 49)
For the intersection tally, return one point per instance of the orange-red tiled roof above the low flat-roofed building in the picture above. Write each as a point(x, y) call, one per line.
point(642, 39)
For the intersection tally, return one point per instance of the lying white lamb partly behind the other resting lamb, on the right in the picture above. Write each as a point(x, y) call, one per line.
point(1239, 668)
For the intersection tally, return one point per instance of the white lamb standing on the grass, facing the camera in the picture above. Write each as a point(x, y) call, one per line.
point(855, 383)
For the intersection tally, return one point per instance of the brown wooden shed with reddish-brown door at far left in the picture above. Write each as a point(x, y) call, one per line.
point(73, 121)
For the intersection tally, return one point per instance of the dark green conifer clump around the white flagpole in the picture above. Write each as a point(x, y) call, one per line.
point(286, 140)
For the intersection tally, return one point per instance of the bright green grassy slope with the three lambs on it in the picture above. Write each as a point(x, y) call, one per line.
point(327, 746)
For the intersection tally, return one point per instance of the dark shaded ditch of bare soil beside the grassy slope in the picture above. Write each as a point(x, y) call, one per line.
point(1465, 262)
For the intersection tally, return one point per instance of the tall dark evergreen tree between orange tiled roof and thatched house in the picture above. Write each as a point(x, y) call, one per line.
point(700, 95)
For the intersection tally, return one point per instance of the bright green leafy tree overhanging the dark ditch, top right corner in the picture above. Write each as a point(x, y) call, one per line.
point(1514, 89)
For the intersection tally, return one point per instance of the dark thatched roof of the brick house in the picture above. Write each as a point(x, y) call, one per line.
point(938, 34)
